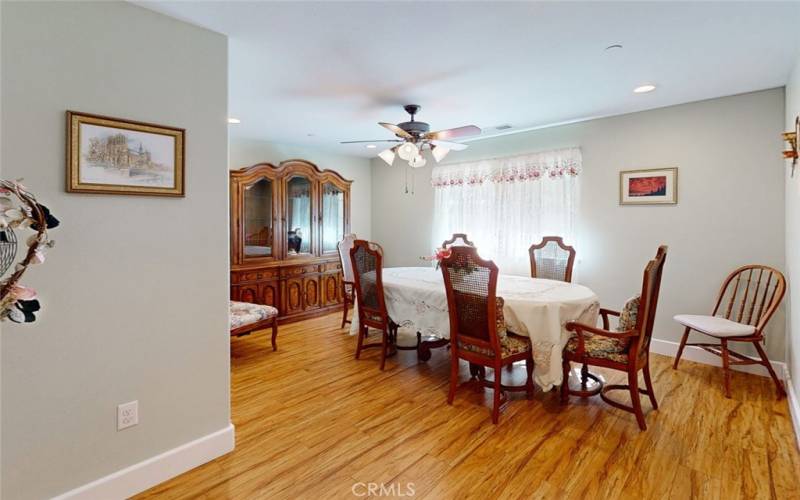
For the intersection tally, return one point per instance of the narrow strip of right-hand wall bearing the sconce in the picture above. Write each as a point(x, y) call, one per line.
point(793, 235)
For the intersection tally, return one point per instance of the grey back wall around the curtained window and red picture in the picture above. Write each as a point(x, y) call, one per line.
point(730, 207)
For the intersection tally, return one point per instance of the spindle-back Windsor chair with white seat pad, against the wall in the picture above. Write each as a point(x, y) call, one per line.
point(751, 295)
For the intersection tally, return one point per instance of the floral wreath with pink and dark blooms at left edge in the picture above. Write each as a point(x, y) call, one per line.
point(20, 210)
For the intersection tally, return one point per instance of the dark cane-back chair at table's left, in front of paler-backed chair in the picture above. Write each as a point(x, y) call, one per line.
point(367, 261)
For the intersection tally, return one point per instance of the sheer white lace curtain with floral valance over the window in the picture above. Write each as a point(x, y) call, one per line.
point(506, 204)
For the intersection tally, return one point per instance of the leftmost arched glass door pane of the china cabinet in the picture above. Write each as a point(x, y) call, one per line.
point(258, 219)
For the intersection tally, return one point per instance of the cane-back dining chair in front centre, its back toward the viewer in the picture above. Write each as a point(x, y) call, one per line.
point(478, 332)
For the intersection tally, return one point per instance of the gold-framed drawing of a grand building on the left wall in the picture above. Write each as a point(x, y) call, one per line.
point(114, 156)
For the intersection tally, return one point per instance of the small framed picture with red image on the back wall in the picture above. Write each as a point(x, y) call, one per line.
point(657, 186)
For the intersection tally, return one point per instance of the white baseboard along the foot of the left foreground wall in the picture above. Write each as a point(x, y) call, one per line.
point(155, 470)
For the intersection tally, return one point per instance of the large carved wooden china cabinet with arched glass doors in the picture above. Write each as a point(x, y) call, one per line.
point(285, 223)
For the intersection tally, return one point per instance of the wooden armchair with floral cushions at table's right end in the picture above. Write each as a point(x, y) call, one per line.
point(625, 349)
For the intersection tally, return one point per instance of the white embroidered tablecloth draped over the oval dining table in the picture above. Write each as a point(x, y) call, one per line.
point(536, 308)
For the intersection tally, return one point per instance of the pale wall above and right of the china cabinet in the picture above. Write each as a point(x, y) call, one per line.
point(249, 152)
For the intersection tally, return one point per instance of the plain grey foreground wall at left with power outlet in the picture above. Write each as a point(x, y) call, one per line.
point(135, 293)
